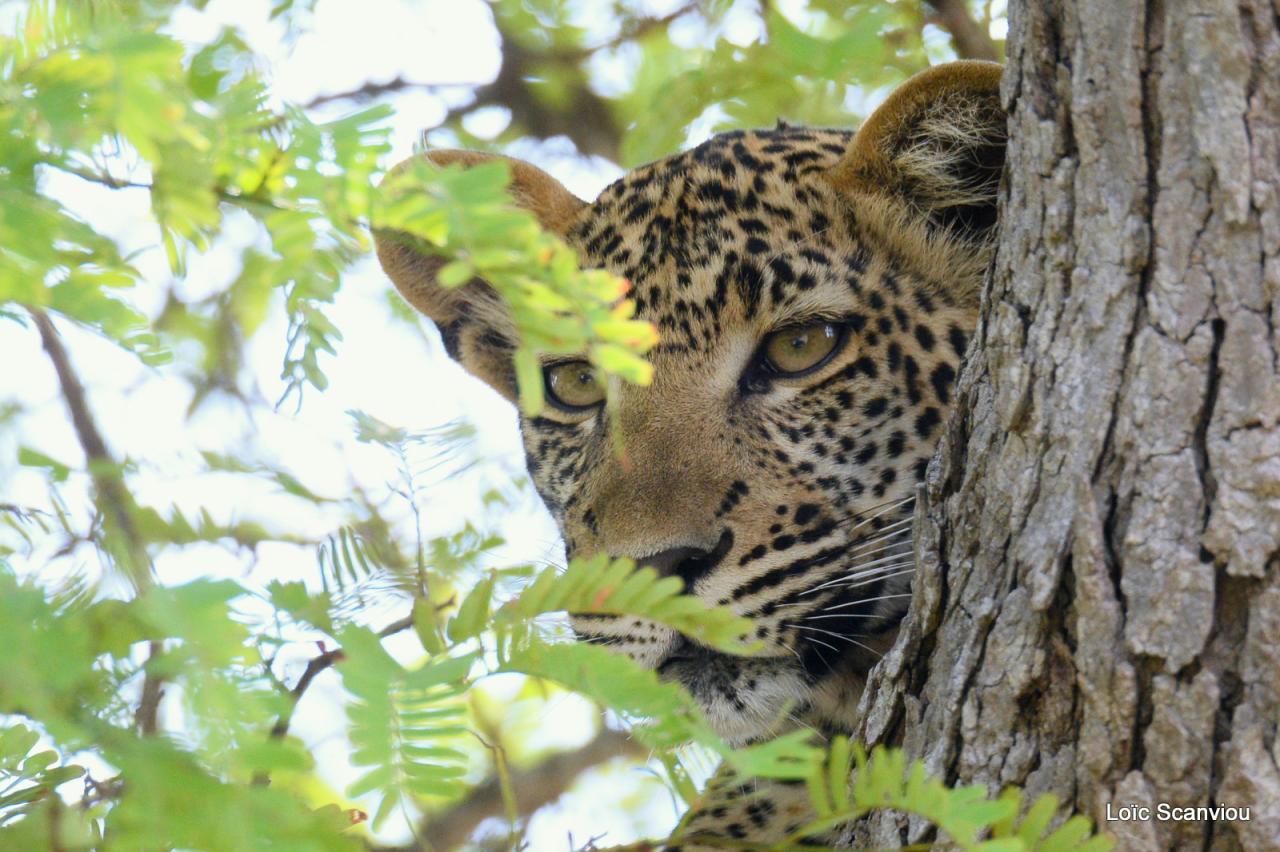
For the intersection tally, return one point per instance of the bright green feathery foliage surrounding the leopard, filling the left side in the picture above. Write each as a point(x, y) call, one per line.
point(152, 714)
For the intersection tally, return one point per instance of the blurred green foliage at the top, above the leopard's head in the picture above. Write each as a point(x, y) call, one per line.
point(705, 66)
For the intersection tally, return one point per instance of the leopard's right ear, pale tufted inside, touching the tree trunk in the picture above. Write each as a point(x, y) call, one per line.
point(938, 145)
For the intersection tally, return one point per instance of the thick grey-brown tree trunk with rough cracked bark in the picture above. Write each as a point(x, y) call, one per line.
point(1098, 604)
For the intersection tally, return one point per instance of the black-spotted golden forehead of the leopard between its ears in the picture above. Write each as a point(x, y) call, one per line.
point(746, 212)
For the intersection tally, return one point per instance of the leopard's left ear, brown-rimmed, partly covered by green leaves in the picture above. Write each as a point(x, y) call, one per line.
point(476, 324)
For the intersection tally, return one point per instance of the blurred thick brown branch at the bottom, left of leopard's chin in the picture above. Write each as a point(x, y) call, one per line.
point(534, 789)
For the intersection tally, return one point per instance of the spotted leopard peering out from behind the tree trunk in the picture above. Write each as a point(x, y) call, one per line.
point(815, 294)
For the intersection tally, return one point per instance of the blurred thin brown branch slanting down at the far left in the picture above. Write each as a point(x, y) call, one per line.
point(113, 500)
